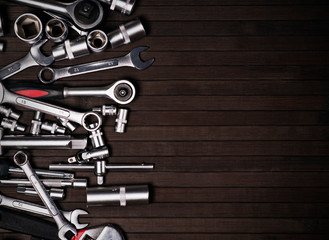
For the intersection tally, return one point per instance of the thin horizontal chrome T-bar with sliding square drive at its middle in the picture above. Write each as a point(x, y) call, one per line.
point(99, 167)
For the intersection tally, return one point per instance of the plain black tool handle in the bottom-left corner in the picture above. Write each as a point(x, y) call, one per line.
point(27, 224)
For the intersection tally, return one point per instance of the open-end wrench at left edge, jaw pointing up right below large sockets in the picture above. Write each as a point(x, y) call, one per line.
point(34, 58)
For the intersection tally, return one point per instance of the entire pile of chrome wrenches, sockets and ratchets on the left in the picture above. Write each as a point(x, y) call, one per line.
point(71, 29)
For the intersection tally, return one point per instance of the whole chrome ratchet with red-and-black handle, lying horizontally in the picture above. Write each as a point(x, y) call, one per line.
point(122, 91)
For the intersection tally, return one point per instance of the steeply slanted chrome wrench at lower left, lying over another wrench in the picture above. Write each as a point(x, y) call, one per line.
point(65, 229)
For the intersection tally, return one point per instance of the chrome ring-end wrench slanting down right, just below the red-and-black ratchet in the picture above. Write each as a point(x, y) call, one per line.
point(84, 119)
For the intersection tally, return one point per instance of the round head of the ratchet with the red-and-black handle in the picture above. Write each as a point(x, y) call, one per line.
point(122, 92)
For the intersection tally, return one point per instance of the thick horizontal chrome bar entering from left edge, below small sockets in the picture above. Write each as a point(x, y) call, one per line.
point(41, 142)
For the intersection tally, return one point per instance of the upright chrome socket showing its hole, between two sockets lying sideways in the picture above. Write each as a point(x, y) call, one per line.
point(97, 41)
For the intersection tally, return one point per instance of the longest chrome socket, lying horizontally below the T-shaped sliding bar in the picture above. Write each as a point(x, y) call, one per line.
point(118, 195)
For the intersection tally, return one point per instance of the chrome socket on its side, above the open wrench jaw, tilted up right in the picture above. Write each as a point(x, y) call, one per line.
point(126, 33)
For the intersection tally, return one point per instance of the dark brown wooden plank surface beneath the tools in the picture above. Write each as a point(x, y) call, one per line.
point(233, 113)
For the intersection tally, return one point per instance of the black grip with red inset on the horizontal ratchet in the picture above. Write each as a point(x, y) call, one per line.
point(34, 90)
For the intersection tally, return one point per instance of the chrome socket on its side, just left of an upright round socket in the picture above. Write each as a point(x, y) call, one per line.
point(71, 49)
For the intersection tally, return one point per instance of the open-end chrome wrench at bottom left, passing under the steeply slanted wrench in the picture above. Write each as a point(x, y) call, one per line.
point(71, 216)
